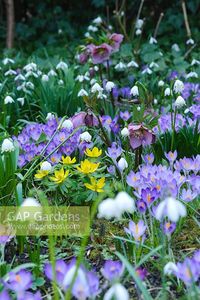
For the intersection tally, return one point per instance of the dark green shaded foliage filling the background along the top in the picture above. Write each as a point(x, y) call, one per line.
point(59, 23)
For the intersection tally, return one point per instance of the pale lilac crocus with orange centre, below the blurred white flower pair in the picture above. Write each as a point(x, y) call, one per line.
point(136, 230)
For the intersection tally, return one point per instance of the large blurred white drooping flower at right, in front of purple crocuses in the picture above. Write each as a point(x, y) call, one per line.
point(171, 208)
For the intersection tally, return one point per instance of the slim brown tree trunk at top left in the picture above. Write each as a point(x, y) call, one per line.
point(10, 23)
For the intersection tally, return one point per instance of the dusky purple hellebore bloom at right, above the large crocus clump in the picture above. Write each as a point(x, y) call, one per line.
point(140, 136)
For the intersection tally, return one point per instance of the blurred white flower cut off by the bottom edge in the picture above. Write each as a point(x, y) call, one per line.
point(117, 291)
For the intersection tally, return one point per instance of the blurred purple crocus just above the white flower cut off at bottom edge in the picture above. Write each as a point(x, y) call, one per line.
point(112, 270)
